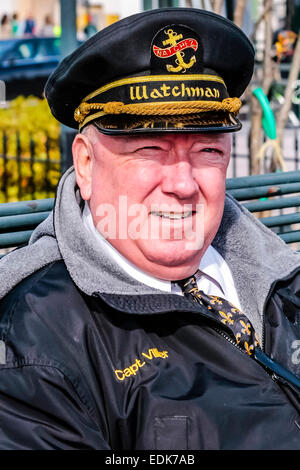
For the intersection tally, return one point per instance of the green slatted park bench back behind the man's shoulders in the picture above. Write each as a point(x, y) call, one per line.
point(273, 197)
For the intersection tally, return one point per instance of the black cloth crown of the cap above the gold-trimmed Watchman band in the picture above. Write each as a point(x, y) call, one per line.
point(124, 49)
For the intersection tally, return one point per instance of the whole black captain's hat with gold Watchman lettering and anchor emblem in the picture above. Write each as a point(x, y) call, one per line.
point(165, 70)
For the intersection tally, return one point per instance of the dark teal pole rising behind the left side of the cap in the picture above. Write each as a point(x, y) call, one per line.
point(68, 44)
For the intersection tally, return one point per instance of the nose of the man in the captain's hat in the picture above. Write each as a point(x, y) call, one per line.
point(178, 180)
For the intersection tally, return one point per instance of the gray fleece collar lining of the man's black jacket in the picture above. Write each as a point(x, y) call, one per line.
point(254, 254)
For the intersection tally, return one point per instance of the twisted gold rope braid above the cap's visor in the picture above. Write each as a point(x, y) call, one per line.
point(231, 105)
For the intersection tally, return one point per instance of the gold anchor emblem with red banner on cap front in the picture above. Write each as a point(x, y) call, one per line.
point(173, 49)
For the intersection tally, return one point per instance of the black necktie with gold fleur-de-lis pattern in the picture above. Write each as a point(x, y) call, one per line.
point(226, 313)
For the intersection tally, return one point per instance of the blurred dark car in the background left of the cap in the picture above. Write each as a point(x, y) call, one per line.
point(26, 63)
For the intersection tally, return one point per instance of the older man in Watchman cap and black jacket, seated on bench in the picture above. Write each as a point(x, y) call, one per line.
point(145, 313)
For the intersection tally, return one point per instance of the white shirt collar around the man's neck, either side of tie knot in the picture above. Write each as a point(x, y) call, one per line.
point(208, 268)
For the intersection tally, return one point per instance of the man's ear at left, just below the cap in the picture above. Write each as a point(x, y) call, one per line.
point(82, 159)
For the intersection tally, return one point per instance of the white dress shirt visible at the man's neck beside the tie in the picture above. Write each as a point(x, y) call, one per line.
point(213, 276)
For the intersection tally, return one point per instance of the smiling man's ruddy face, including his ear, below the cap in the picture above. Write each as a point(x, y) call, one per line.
point(163, 192)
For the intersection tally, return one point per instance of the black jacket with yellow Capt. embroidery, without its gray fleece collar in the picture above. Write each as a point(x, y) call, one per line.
point(143, 372)
